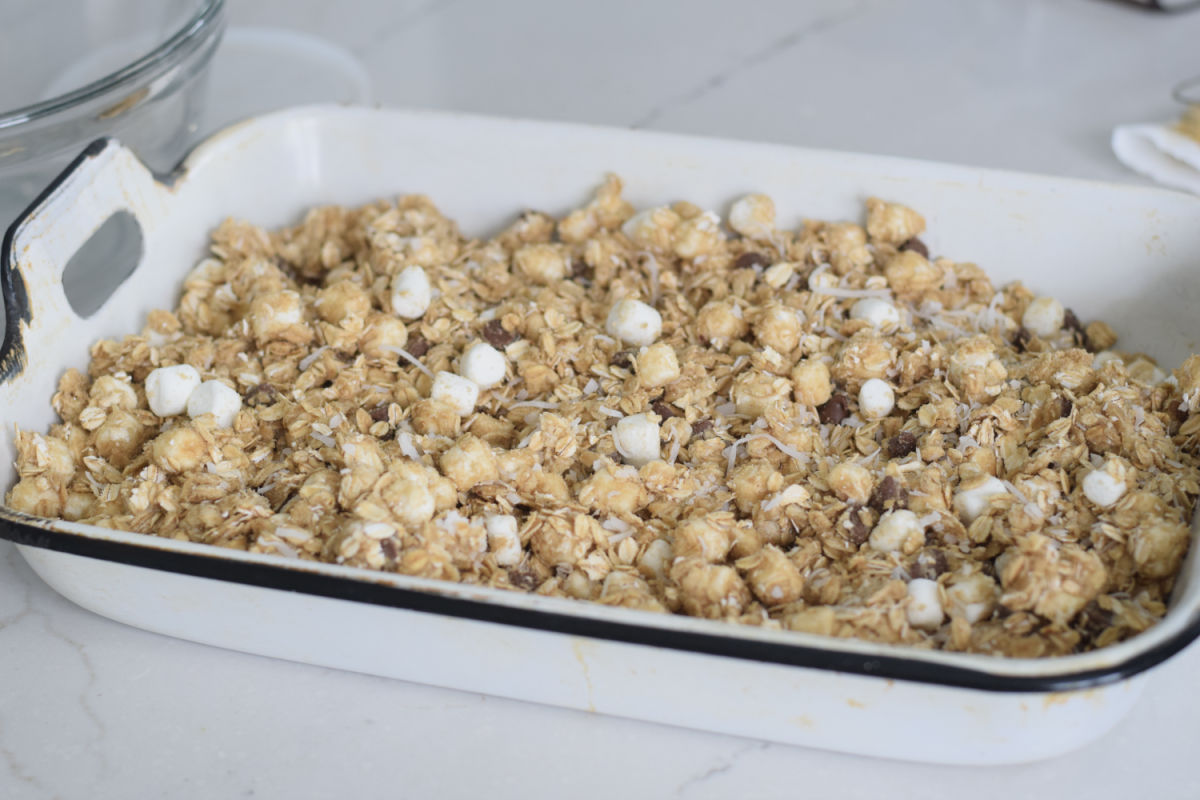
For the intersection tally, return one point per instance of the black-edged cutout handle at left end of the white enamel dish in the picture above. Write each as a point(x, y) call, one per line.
point(106, 178)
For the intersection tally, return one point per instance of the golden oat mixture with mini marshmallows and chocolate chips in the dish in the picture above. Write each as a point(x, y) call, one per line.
point(819, 429)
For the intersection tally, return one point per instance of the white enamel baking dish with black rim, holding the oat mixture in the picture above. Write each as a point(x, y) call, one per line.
point(1125, 255)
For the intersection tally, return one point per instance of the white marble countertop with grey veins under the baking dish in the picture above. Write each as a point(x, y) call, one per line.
point(91, 708)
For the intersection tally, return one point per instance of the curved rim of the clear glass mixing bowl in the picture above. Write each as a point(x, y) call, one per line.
point(201, 25)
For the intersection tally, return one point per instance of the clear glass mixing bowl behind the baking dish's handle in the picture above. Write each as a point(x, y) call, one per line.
point(80, 70)
